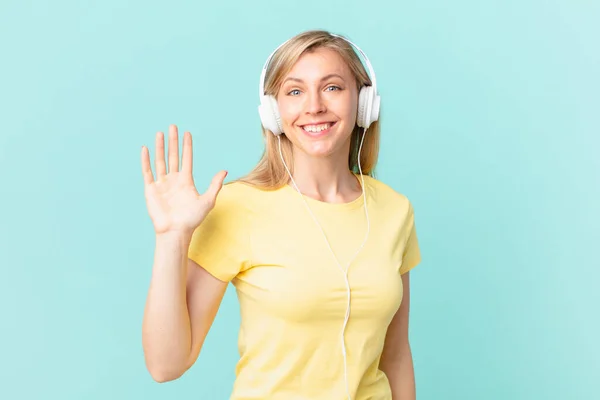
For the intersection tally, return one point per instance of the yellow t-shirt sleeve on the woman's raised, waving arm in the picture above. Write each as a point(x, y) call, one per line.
point(221, 243)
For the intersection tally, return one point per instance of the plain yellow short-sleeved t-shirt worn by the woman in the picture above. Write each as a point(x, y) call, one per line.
point(292, 293)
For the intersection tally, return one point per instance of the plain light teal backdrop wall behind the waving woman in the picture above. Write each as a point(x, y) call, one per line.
point(490, 126)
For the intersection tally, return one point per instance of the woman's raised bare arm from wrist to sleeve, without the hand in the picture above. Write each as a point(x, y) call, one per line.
point(181, 305)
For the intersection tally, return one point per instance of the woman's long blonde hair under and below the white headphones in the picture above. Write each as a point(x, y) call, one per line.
point(269, 173)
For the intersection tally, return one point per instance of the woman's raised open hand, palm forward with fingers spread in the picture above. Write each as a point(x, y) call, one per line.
point(173, 203)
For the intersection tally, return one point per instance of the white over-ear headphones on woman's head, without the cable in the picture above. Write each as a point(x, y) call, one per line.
point(368, 99)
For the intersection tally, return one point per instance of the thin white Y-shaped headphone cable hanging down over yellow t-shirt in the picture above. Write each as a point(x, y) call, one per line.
point(345, 271)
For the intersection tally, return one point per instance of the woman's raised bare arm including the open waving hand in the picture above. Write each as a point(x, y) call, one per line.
point(183, 298)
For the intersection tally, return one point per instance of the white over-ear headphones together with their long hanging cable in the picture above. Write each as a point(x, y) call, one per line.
point(368, 112)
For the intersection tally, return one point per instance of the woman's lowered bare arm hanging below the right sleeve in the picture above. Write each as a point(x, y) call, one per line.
point(396, 360)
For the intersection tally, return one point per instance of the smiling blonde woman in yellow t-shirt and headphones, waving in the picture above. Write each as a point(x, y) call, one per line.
point(319, 252)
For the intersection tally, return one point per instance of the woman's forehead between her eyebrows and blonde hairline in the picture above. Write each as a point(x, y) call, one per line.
point(319, 62)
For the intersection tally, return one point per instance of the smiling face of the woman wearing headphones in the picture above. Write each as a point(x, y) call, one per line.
point(318, 103)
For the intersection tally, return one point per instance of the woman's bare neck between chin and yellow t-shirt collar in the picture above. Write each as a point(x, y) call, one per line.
point(325, 179)
